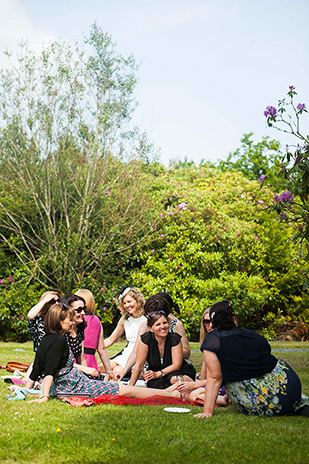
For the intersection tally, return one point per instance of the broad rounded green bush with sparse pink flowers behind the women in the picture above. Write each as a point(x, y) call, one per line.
point(222, 246)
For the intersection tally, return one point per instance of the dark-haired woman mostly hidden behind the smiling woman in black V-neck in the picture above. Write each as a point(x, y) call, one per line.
point(159, 302)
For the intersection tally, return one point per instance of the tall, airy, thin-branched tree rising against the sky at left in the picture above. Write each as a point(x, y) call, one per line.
point(74, 192)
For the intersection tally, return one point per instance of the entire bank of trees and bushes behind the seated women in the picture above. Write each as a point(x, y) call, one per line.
point(85, 203)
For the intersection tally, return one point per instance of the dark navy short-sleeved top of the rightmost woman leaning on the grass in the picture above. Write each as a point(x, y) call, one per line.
point(243, 354)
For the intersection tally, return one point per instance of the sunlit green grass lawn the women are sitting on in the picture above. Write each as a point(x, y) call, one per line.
point(147, 434)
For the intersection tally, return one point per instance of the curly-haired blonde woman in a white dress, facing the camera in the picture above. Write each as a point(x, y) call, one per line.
point(131, 305)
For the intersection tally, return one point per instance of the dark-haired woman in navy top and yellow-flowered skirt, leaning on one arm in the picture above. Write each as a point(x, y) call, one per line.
point(257, 382)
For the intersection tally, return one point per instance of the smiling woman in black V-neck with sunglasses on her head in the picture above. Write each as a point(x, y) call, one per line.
point(163, 352)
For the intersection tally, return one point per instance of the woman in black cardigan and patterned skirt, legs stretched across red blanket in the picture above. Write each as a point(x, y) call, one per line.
point(54, 359)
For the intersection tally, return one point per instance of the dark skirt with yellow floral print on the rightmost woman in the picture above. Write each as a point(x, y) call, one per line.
point(275, 393)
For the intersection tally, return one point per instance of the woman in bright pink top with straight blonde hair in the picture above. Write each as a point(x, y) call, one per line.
point(93, 332)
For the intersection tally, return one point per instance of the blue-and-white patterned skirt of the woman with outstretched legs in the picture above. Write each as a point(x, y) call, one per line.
point(70, 382)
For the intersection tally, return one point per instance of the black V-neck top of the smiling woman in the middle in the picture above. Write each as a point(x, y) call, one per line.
point(153, 357)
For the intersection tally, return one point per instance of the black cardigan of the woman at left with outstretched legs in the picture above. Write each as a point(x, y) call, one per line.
point(51, 356)
